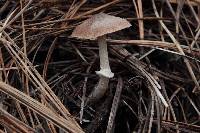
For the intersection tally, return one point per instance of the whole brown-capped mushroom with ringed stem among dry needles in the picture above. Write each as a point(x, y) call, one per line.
point(97, 27)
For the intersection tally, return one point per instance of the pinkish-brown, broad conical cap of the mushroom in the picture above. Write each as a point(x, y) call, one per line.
point(99, 25)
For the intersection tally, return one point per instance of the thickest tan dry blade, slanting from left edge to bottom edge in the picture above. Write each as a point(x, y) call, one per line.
point(40, 108)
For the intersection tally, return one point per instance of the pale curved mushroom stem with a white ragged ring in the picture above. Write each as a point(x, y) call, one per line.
point(105, 73)
